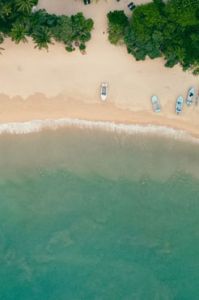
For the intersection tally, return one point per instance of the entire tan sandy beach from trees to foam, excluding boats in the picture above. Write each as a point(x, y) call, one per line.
point(54, 84)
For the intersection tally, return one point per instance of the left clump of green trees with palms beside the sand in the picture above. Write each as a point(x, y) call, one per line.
point(18, 21)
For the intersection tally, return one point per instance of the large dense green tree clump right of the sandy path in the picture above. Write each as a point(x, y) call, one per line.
point(169, 29)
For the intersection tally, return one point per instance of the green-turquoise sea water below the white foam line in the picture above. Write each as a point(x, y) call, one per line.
point(89, 214)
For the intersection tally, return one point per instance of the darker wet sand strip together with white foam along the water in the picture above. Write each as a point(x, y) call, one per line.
point(39, 113)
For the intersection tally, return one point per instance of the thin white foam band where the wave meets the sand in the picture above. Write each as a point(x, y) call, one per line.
point(39, 125)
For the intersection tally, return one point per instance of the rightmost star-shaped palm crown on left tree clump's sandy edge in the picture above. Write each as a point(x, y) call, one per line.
point(42, 37)
